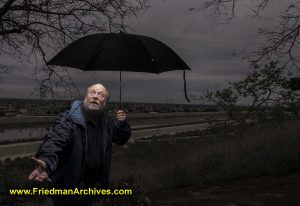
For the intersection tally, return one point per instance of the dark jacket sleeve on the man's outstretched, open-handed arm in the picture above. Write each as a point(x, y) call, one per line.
point(55, 142)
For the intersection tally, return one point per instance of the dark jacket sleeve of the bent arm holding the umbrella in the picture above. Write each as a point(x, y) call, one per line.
point(122, 132)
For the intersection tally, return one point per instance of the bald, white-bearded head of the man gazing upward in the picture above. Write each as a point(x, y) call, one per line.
point(95, 98)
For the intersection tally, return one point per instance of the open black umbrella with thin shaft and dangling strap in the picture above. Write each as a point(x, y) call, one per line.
point(120, 52)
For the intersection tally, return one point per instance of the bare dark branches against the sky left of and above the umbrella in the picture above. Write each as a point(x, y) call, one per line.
point(31, 29)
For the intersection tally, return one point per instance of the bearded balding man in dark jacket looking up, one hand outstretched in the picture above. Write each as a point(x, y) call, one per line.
point(76, 152)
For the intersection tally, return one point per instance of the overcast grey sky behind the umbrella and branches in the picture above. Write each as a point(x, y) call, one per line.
point(205, 44)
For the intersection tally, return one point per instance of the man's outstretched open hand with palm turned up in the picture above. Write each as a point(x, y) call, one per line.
point(40, 172)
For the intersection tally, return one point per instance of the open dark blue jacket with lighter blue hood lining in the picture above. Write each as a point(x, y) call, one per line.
point(65, 147)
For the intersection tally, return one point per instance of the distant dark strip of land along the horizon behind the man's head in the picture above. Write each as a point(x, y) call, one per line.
point(52, 107)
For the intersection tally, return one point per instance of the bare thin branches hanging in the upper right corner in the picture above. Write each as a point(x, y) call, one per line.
point(281, 42)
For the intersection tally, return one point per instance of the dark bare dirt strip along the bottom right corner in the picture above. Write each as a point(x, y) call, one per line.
point(266, 190)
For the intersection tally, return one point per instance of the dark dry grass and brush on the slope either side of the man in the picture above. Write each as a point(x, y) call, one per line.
point(265, 149)
